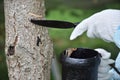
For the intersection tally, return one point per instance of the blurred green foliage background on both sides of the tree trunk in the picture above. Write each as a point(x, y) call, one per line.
point(60, 37)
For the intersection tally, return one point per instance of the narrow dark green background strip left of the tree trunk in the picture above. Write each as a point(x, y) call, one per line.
point(3, 67)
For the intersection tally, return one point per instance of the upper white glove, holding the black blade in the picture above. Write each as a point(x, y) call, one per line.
point(102, 25)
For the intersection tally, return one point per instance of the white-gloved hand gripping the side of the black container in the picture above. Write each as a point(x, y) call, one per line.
point(104, 68)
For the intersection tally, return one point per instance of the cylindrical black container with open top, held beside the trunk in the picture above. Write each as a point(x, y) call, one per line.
point(82, 64)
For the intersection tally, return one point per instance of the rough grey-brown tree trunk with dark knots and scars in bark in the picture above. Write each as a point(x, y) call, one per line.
point(28, 47)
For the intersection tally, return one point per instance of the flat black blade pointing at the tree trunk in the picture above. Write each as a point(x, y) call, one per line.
point(54, 23)
